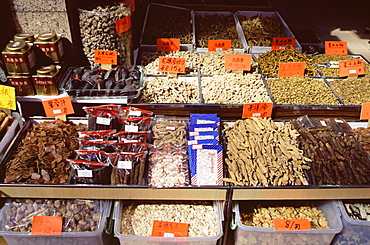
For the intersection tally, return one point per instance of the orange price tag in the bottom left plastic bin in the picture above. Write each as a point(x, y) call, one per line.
point(46, 226)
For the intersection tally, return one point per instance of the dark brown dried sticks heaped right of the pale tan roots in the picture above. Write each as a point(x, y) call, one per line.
point(337, 157)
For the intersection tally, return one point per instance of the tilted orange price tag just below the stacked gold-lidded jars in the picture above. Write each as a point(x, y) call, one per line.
point(58, 106)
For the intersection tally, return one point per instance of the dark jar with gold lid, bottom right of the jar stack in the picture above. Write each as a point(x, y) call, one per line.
point(46, 80)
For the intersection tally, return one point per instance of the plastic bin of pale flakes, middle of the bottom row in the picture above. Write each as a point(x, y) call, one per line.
point(144, 240)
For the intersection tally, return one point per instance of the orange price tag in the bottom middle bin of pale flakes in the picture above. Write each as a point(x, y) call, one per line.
point(169, 229)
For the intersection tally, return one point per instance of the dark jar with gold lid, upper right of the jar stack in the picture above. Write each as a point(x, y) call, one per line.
point(51, 44)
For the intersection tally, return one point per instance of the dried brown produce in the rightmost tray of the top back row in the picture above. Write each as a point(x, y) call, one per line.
point(259, 30)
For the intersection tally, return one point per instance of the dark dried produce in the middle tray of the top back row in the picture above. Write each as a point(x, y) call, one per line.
point(216, 27)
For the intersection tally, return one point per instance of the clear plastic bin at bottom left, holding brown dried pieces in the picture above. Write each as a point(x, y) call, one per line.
point(70, 238)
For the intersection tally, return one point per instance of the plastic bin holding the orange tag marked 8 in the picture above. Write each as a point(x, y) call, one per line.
point(254, 235)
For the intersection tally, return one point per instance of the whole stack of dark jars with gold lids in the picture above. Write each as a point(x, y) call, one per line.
point(24, 74)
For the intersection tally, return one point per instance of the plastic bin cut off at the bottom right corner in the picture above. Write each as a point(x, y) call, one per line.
point(354, 231)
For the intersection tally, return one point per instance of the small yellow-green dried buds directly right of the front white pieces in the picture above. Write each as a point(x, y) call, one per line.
point(301, 91)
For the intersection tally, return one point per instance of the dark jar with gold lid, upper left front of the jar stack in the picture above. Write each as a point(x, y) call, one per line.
point(19, 58)
